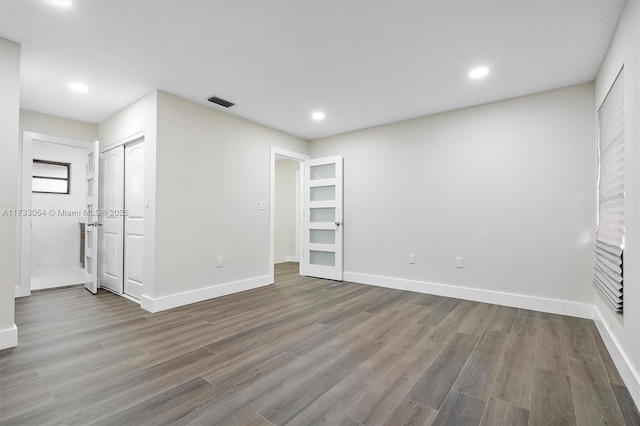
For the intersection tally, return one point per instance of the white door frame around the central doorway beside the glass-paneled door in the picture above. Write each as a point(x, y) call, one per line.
point(296, 156)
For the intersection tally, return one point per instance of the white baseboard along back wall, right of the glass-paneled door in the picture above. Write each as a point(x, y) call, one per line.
point(553, 306)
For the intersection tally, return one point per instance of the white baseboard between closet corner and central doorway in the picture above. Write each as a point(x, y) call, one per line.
point(188, 297)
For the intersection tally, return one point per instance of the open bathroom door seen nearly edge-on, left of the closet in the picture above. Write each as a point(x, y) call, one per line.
point(91, 227)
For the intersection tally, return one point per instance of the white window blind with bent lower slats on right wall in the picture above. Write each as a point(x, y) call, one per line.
point(608, 275)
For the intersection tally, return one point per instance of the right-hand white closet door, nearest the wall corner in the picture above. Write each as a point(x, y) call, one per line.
point(134, 205)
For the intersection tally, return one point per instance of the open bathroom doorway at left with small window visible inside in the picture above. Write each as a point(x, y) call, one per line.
point(53, 199)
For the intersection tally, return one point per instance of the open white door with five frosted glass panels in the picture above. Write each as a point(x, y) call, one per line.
point(323, 227)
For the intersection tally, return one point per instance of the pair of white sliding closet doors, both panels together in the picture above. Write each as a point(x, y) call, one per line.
point(122, 219)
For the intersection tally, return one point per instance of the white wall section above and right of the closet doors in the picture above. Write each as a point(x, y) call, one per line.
point(139, 118)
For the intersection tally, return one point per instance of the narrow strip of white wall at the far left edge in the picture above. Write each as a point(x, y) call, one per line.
point(9, 160)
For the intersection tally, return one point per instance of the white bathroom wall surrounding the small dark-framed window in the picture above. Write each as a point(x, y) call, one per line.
point(56, 238)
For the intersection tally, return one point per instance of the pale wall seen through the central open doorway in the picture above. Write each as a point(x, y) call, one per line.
point(285, 210)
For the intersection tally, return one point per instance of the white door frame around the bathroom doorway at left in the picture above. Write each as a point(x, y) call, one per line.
point(28, 138)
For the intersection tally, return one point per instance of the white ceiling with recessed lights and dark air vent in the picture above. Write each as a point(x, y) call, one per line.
point(363, 62)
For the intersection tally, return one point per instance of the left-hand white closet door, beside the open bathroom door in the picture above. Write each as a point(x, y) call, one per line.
point(112, 229)
